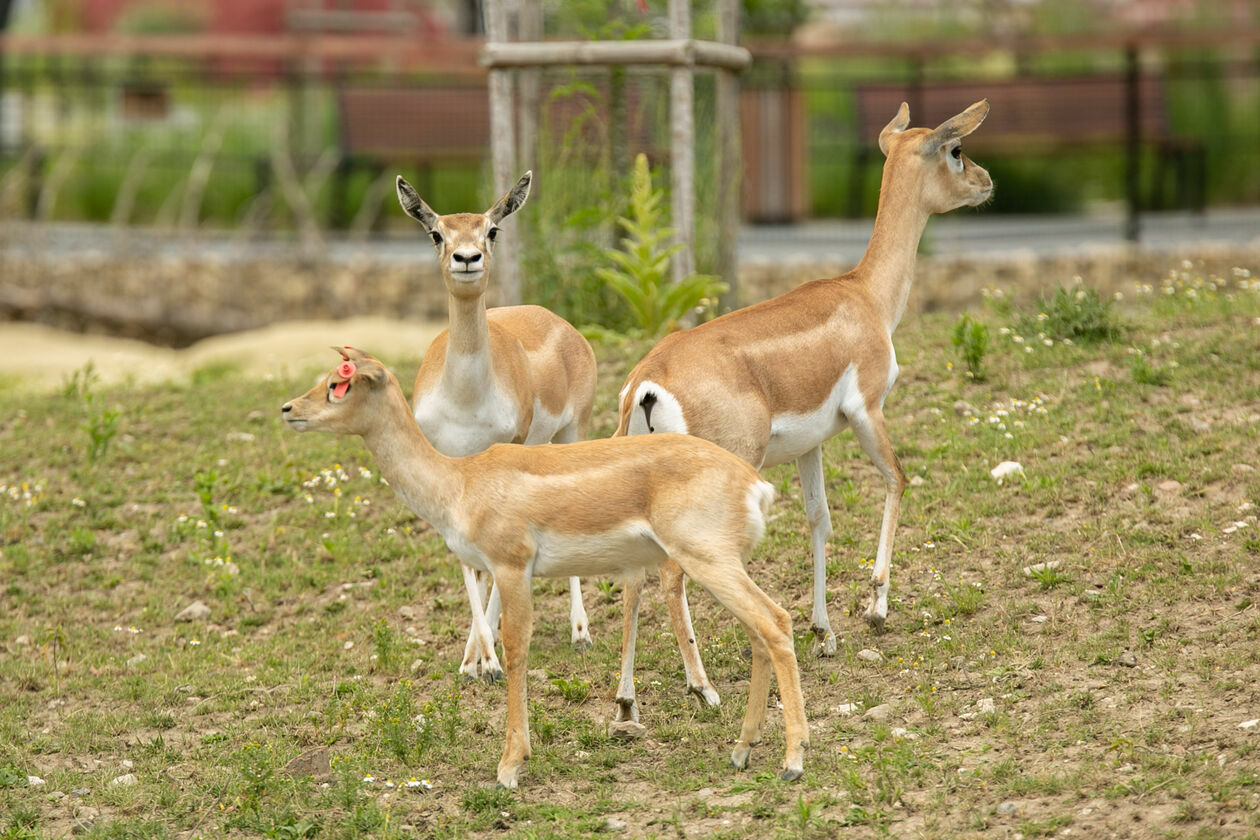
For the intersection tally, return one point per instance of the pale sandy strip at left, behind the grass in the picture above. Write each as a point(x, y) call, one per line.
point(49, 356)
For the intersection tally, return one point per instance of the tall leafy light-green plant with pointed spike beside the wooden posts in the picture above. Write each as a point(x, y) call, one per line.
point(642, 265)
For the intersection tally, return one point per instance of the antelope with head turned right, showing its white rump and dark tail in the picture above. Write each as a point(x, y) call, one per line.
point(773, 382)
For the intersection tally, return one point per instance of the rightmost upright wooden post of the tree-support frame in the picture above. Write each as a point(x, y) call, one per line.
point(730, 169)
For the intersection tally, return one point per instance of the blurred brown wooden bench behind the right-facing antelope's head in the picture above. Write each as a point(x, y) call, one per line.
point(1039, 116)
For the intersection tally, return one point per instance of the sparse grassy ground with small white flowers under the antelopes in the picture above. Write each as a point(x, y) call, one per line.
point(1112, 692)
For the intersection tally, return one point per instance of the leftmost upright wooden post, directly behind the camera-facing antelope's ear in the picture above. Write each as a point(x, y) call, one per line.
point(503, 149)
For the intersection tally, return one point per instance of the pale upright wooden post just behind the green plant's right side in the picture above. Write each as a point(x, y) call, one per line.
point(682, 147)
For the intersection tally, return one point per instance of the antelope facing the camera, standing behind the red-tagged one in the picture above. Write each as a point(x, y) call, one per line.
point(512, 375)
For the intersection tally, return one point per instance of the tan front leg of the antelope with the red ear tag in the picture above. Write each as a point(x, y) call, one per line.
point(518, 621)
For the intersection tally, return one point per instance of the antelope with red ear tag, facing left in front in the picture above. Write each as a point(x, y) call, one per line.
point(613, 507)
